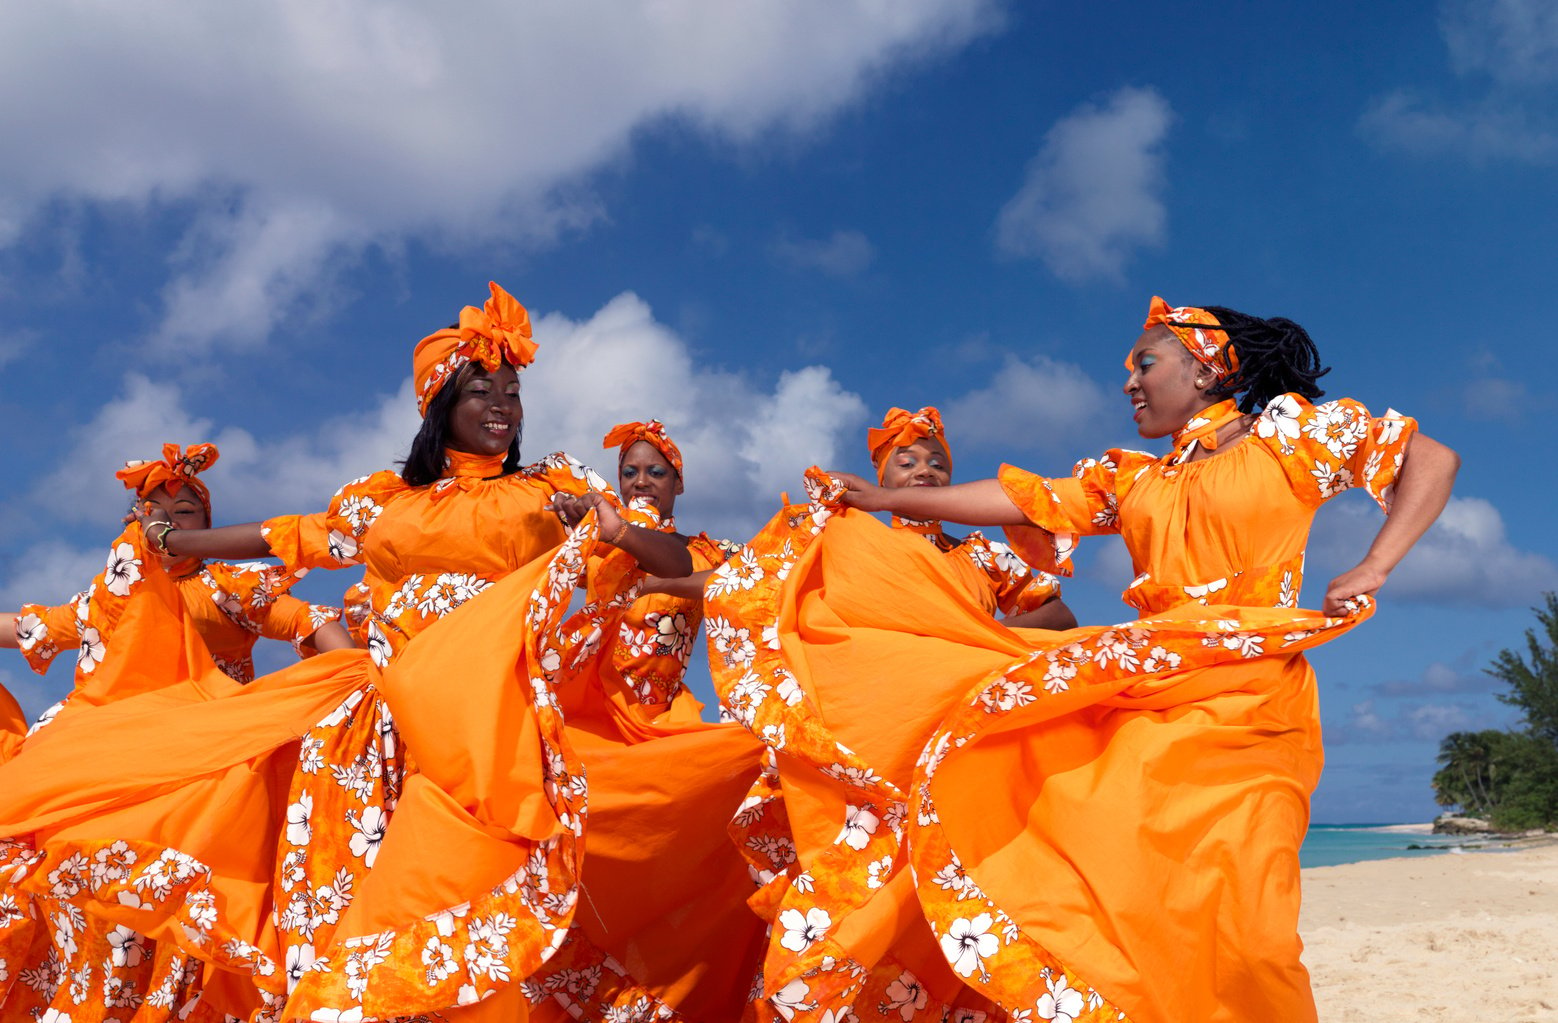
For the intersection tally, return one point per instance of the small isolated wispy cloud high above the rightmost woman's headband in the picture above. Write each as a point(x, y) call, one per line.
point(1094, 192)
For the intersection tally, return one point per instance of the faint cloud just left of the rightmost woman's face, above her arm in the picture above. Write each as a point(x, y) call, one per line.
point(1037, 404)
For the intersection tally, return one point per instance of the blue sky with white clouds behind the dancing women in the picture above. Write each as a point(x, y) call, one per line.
point(767, 225)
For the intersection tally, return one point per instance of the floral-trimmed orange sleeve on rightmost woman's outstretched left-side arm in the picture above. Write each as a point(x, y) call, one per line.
point(1062, 510)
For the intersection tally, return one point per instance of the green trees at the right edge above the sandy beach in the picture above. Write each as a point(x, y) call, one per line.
point(1512, 778)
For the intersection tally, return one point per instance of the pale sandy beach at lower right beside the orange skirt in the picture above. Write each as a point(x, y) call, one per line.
point(1470, 937)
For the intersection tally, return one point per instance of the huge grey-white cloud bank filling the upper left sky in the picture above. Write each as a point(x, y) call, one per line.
point(297, 135)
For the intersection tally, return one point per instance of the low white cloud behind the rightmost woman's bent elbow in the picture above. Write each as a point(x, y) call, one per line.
point(1464, 560)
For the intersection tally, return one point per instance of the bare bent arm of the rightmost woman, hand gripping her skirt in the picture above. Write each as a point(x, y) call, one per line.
point(1423, 487)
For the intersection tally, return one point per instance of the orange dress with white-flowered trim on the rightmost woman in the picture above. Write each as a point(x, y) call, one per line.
point(1104, 823)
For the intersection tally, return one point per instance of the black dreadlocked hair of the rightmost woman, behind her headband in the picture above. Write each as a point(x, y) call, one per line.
point(1275, 357)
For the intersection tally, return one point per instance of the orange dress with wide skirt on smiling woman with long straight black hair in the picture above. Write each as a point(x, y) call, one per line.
point(378, 842)
